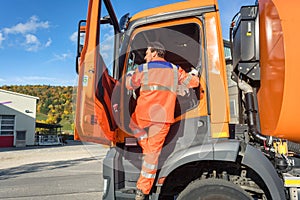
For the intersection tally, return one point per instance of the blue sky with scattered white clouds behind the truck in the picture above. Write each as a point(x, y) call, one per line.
point(38, 37)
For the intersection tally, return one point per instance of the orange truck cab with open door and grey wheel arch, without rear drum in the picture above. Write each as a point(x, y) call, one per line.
point(203, 155)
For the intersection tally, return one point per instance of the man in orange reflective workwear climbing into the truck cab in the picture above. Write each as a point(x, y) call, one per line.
point(158, 81)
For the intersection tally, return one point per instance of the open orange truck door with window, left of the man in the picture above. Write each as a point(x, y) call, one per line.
point(97, 54)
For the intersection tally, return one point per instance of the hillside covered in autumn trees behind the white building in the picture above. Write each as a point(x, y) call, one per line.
point(55, 104)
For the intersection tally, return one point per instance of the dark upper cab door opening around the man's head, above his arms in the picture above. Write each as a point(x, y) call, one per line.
point(182, 43)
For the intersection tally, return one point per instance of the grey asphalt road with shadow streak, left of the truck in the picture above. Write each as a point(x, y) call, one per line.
point(73, 171)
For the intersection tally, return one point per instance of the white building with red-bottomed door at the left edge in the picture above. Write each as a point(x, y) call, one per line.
point(17, 119)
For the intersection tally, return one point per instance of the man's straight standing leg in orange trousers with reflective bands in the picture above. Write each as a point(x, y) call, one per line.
point(151, 149)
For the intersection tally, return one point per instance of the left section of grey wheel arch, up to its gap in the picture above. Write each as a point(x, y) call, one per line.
point(191, 159)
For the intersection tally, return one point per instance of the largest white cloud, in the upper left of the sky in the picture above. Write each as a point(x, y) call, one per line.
point(31, 26)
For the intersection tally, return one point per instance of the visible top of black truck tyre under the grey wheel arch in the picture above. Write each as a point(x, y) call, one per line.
point(213, 189)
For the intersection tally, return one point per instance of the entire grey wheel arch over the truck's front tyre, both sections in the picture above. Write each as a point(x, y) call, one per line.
point(222, 153)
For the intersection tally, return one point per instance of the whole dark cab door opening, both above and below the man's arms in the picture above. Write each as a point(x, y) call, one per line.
point(183, 48)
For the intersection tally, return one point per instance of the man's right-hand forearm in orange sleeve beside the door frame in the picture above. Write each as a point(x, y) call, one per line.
point(189, 80)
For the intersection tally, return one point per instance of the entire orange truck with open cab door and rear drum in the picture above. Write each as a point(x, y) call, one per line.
point(236, 136)
